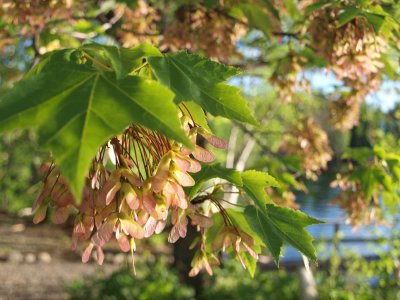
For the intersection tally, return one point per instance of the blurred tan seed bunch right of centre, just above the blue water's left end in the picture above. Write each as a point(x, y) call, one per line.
point(309, 141)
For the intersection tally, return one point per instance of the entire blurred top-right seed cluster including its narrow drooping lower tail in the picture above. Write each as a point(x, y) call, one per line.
point(353, 52)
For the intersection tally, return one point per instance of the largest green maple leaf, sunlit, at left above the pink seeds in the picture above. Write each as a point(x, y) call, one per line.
point(77, 108)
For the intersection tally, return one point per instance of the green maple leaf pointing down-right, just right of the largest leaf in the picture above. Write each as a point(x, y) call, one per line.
point(194, 78)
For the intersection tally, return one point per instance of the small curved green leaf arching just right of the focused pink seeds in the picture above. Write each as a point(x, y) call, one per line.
point(214, 171)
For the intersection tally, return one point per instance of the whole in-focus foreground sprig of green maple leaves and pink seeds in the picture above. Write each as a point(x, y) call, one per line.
point(146, 109)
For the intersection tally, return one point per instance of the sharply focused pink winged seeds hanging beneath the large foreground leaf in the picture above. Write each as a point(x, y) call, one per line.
point(136, 191)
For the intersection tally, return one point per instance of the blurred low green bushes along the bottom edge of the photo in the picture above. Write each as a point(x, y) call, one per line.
point(346, 276)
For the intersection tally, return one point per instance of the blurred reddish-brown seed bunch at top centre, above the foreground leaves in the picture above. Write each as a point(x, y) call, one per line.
point(199, 29)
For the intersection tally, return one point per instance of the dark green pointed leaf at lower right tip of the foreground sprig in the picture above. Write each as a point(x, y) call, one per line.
point(276, 225)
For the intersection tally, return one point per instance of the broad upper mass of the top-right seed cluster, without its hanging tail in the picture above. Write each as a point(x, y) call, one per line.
point(353, 51)
